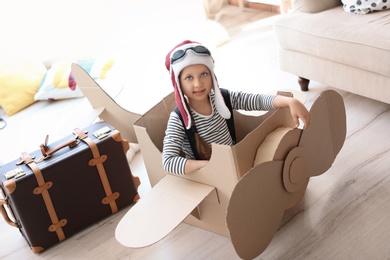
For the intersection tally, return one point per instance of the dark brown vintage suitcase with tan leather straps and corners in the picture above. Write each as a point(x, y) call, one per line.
point(64, 187)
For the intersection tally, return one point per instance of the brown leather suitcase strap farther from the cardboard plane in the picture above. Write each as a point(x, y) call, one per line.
point(43, 189)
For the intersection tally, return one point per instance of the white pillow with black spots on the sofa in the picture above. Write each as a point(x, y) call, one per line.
point(364, 6)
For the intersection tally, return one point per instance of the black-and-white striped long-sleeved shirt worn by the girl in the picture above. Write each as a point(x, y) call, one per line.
point(211, 128)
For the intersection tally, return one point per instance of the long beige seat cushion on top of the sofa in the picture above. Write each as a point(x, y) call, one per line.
point(354, 40)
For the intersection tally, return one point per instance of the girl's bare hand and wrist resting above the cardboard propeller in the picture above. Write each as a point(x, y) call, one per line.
point(298, 110)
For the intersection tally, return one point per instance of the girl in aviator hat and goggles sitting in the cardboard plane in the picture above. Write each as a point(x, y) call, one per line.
point(201, 107)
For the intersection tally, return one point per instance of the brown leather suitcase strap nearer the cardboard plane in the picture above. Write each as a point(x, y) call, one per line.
point(98, 161)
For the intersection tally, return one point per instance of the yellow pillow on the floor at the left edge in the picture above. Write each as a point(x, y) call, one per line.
point(19, 81)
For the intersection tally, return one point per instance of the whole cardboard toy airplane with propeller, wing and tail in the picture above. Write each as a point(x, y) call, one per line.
point(245, 189)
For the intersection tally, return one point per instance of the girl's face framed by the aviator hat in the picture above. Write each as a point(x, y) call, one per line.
point(196, 82)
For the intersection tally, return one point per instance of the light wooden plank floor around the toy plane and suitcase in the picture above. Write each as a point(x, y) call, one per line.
point(345, 213)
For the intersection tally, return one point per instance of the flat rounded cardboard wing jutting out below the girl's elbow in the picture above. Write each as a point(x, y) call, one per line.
point(158, 213)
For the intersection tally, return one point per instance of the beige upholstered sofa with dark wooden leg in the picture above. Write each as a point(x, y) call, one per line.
point(319, 41)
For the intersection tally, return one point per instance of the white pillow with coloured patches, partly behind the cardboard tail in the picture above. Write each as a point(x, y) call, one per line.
point(59, 83)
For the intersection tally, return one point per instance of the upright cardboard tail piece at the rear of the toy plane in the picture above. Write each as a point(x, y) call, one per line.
point(108, 109)
